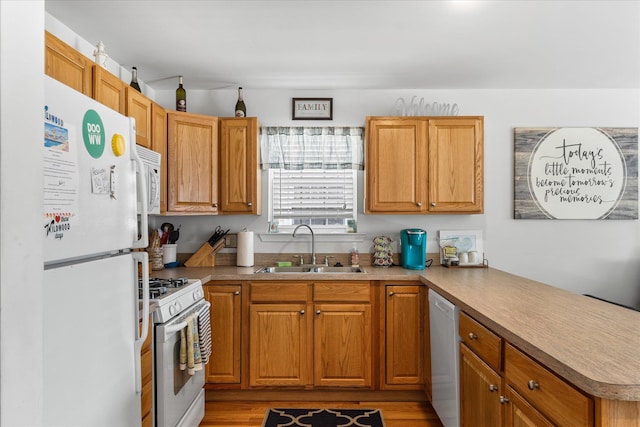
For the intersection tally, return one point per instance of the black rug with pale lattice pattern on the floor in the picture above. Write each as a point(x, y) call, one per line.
point(323, 418)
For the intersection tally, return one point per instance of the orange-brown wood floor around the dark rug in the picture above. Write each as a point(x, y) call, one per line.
point(235, 408)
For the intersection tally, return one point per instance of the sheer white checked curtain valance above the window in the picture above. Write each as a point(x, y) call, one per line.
point(312, 147)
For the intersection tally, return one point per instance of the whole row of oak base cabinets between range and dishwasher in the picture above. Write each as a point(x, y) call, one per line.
point(315, 335)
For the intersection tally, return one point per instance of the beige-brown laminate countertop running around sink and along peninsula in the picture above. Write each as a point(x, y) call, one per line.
point(592, 344)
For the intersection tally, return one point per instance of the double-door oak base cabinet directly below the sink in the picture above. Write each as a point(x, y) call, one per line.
point(310, 334)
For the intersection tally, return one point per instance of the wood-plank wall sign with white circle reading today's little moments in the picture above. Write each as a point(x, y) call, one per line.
point(576, 173)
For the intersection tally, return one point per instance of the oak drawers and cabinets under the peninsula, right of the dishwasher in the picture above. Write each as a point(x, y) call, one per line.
point(501, 386)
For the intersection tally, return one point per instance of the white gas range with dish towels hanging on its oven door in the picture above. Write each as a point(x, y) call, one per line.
point(179, 395)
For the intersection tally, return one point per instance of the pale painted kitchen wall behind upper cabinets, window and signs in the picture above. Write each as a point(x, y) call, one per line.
point(598, 257)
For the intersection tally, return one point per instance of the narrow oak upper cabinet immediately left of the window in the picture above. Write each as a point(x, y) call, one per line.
point(240, 178)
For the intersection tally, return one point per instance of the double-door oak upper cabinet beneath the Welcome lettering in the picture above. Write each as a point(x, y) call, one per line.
point(420, 165)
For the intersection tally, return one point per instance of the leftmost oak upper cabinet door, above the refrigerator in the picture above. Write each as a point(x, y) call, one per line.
point(67, 65)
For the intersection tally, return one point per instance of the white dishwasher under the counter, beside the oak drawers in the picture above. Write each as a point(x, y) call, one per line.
point(445, 359)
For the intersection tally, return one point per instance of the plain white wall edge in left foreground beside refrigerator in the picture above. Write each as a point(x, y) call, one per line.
point(21, 136)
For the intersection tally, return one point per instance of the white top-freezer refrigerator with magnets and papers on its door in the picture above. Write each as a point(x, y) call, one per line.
point(93, 218)
